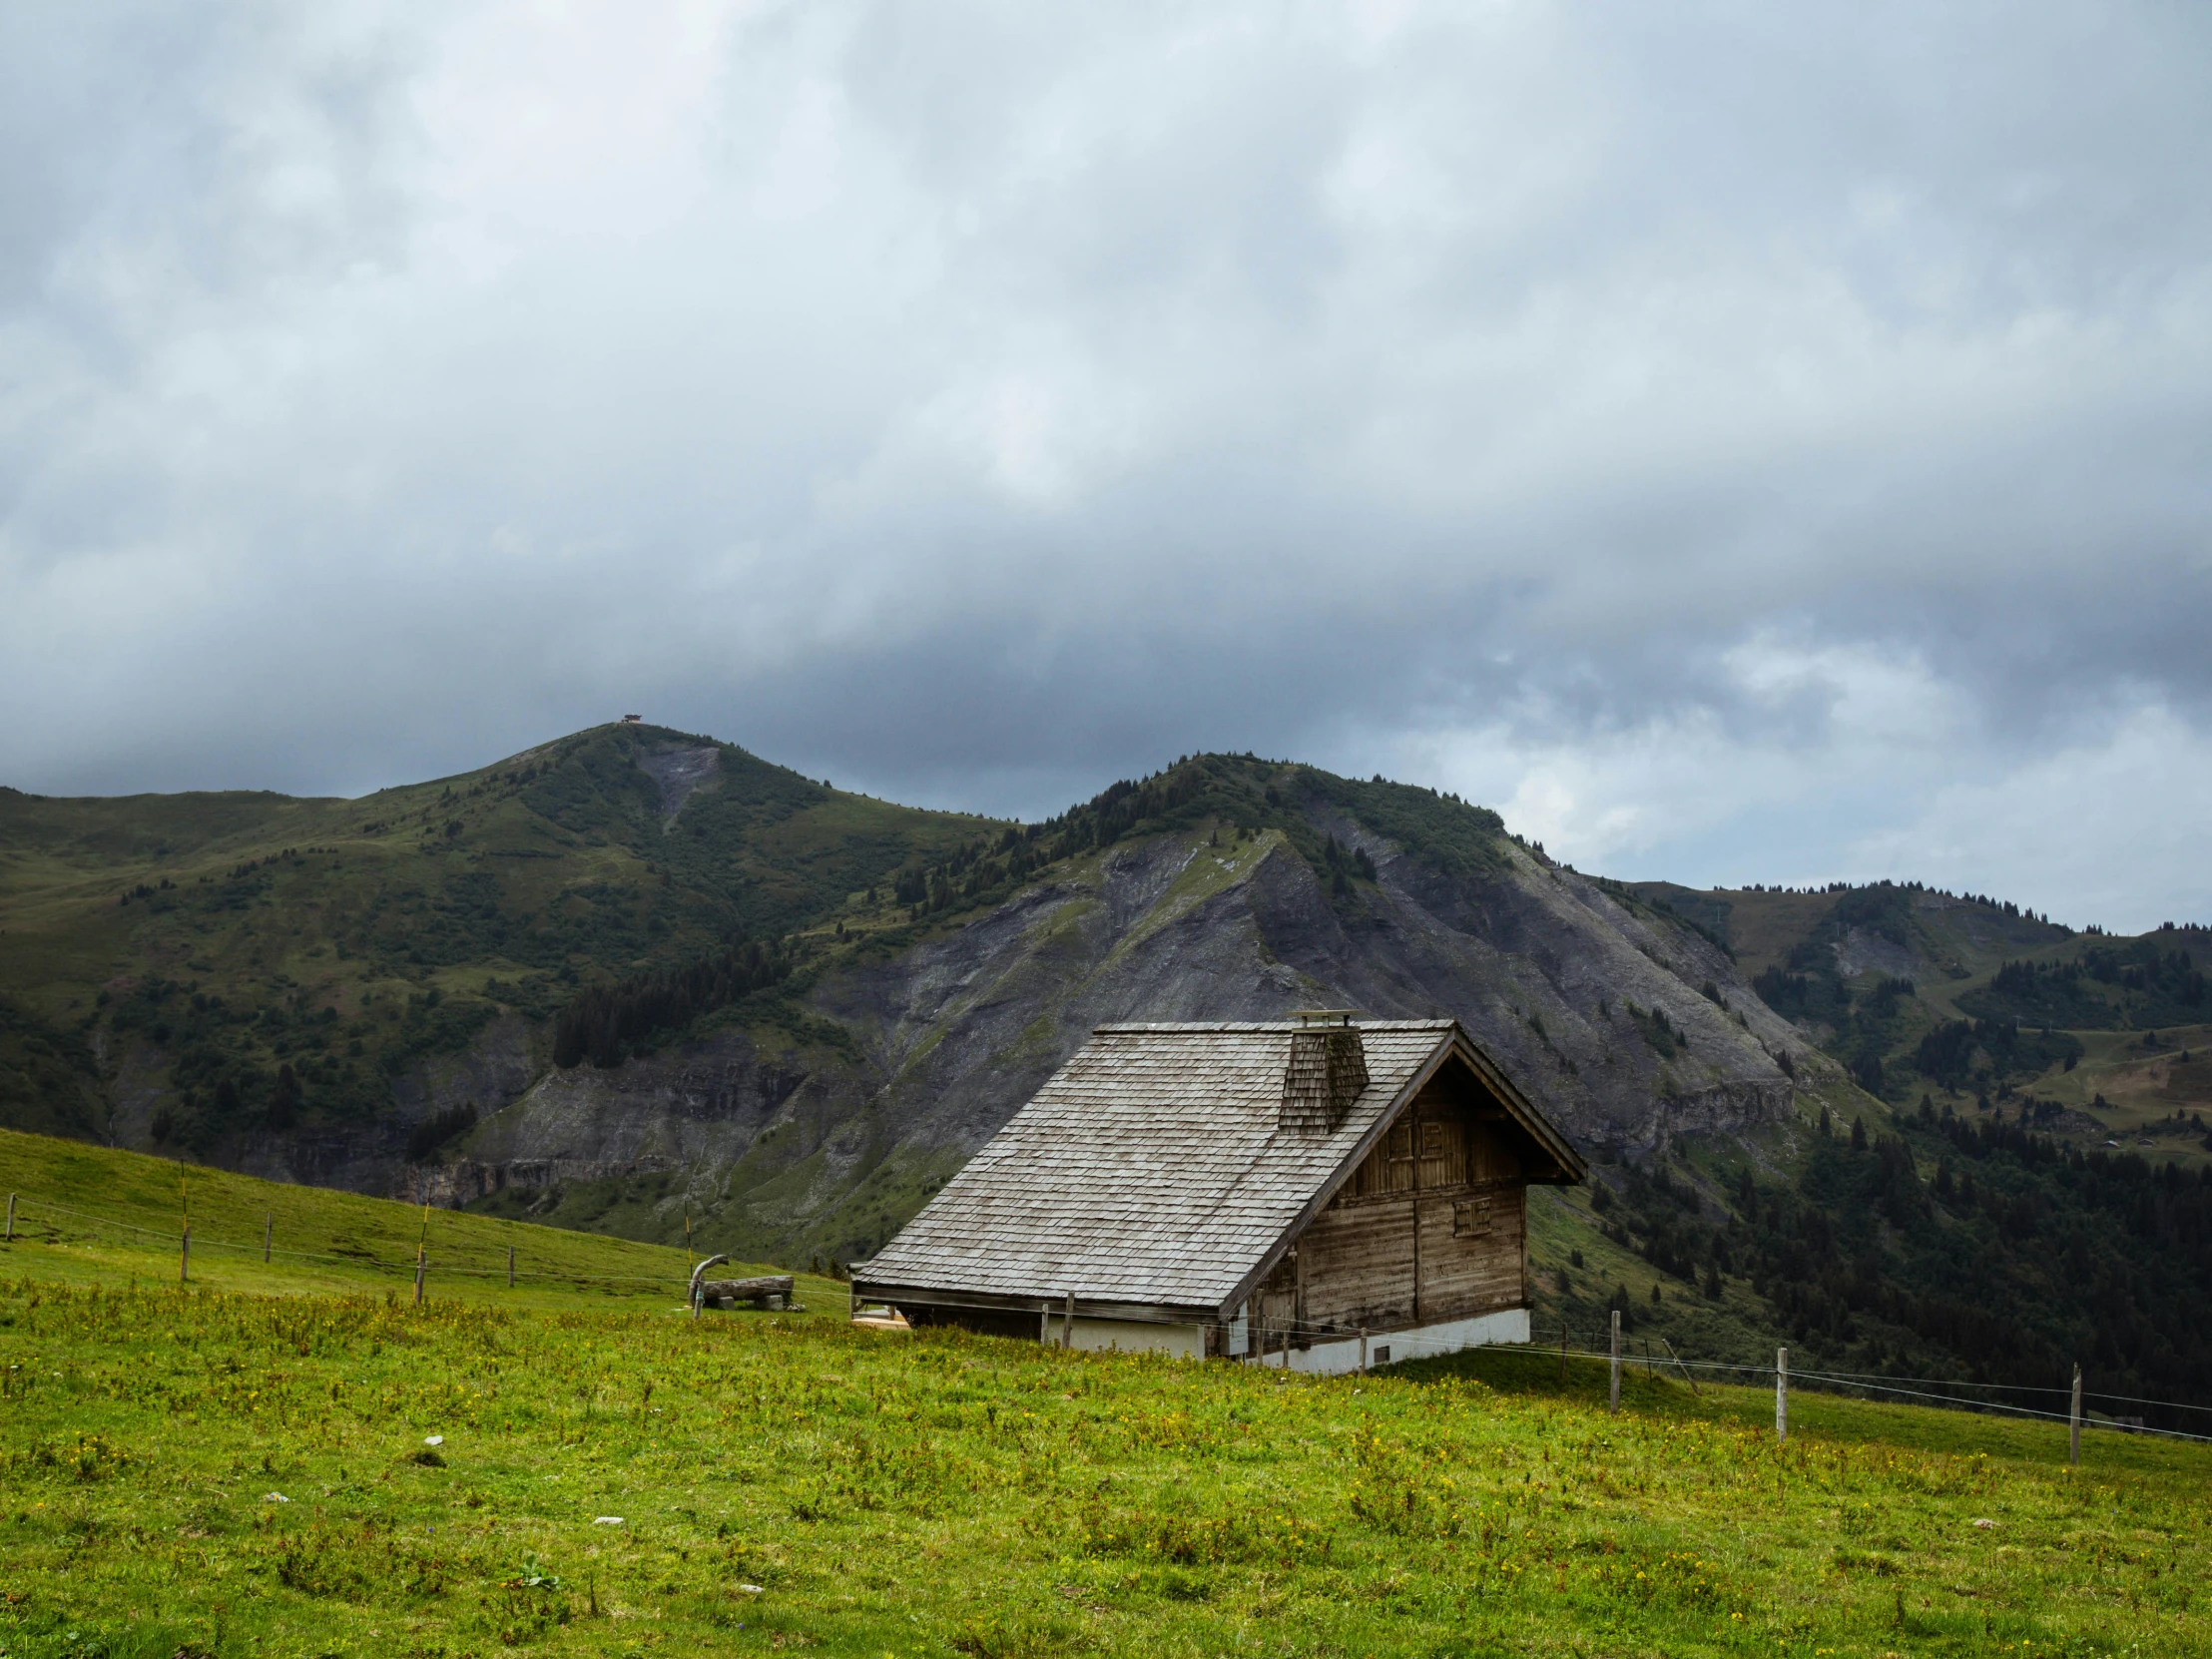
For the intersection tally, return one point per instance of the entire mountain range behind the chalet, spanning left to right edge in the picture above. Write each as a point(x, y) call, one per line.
point(645, 983)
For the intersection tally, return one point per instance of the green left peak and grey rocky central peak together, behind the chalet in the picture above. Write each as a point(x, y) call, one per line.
point(368, 994)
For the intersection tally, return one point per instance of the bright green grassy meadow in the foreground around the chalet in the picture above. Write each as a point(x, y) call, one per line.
point(289, 1461)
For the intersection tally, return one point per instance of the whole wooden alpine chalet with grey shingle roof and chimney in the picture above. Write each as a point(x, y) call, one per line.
point(1315, 1193)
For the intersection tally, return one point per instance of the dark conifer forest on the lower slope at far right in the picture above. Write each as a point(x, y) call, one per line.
point(1972, 1249)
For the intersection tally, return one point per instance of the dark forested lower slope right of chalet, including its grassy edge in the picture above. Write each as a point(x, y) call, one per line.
point(1926, 1244)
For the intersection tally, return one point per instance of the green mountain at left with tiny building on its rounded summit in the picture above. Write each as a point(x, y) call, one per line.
point(244, 961)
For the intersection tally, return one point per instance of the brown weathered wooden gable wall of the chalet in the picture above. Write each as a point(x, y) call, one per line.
point(1430, 1229)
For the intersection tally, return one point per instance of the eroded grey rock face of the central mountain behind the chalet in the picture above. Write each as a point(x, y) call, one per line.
point(820, 1138)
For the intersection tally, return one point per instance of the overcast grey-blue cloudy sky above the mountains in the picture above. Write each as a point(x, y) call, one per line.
point(1742, 444)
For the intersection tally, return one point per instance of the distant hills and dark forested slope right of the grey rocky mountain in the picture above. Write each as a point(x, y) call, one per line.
point(2023, 1180)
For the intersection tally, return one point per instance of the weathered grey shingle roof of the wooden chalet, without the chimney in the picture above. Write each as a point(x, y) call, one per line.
point(1151, 1171)
